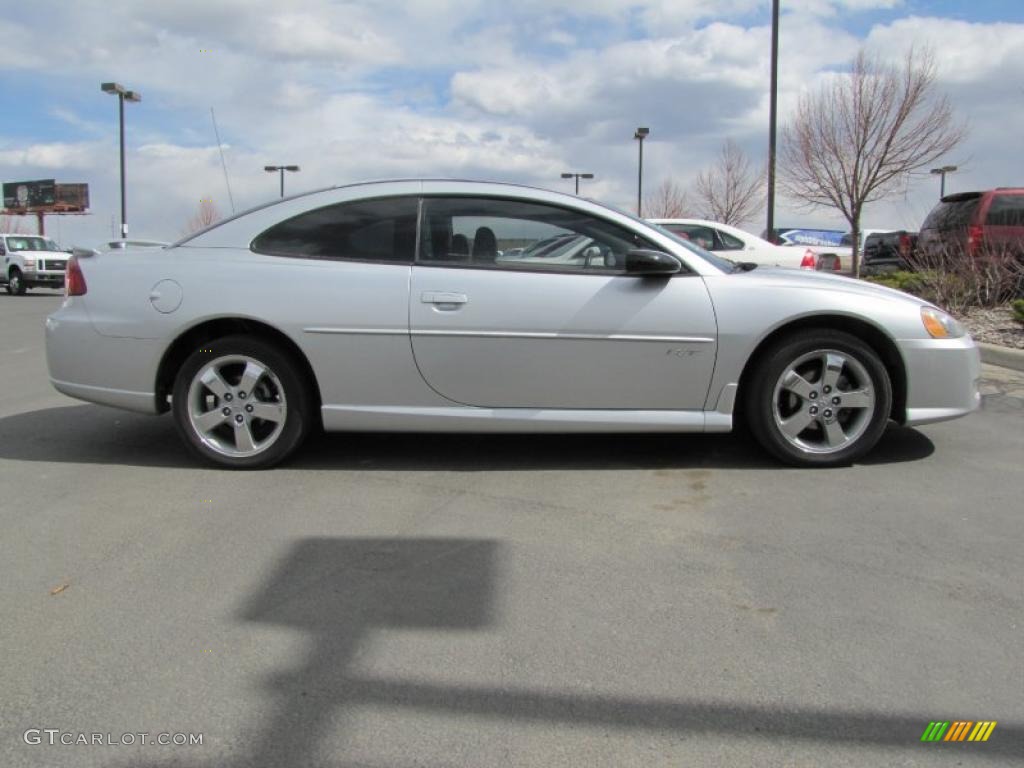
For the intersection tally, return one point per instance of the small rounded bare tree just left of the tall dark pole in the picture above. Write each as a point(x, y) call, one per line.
point(732, 191)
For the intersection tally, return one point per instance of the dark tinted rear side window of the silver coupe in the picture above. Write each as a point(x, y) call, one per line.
point(362, 231)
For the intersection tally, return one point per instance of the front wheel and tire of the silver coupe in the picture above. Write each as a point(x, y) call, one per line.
point(770, 405)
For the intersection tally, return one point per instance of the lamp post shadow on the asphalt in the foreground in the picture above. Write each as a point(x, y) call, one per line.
point(339, 591)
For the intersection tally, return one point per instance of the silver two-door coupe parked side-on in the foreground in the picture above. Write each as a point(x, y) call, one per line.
point(420, 307)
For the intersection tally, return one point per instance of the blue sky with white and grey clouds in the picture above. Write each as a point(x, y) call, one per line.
point(516, 92)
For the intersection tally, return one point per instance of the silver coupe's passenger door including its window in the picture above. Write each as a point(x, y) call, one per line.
point(493, 331)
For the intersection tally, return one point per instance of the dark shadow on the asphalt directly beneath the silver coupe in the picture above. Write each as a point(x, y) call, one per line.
point(95, 435)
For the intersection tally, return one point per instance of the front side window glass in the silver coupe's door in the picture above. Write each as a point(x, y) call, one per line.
point(519, 235)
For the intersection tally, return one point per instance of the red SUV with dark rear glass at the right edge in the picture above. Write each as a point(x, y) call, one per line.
point(975, 224)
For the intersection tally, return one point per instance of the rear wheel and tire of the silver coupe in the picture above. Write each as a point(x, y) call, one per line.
point(283, 390)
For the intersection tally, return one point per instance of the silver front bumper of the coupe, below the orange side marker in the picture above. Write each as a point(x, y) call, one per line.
point(943, 379)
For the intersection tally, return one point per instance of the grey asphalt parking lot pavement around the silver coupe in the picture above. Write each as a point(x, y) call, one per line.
point(419, 601)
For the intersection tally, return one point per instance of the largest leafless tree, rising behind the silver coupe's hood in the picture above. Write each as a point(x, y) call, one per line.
point(859, 139)
